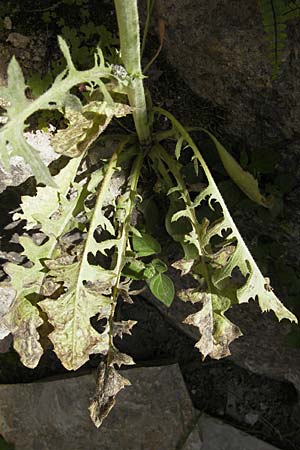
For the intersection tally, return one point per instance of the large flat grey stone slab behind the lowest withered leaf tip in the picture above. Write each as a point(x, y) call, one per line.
point(155, 413)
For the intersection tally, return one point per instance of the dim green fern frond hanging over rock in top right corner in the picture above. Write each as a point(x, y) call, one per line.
point(275, 15)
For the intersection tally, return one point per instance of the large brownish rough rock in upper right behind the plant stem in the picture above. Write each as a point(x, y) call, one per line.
point(219, 47)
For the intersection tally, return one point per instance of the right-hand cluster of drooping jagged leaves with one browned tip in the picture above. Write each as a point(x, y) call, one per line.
point(215, 254)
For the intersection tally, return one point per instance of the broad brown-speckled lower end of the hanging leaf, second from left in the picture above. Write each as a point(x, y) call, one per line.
point(74, 338)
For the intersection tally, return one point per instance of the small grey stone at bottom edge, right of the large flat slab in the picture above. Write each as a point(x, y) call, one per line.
point(217, 435)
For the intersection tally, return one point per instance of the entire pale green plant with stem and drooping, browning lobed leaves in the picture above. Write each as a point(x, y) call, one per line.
point(97, 241)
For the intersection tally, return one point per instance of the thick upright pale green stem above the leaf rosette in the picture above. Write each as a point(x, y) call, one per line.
point(129, 30)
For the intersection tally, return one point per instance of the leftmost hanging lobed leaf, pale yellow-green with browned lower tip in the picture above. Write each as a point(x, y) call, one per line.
point(53, 211)
